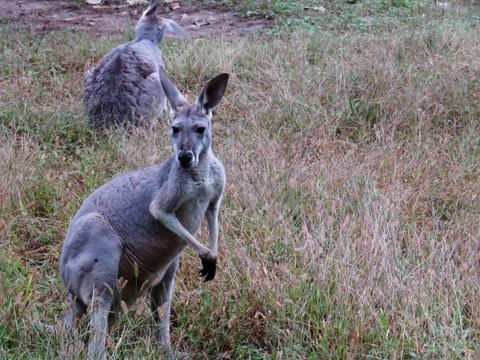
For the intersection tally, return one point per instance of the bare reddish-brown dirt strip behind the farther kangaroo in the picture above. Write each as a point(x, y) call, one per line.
point(117, 16)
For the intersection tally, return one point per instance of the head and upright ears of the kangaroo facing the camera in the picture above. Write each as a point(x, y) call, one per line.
point(191, 123)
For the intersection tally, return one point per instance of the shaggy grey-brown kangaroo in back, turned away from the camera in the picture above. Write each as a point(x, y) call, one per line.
point(125, 85)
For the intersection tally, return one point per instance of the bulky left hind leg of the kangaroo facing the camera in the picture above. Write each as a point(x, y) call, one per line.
point(90, 268)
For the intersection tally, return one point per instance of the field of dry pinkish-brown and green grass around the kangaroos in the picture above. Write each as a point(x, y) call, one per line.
point(350, 227)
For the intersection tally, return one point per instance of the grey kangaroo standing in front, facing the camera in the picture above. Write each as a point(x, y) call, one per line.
point(135, 226)
